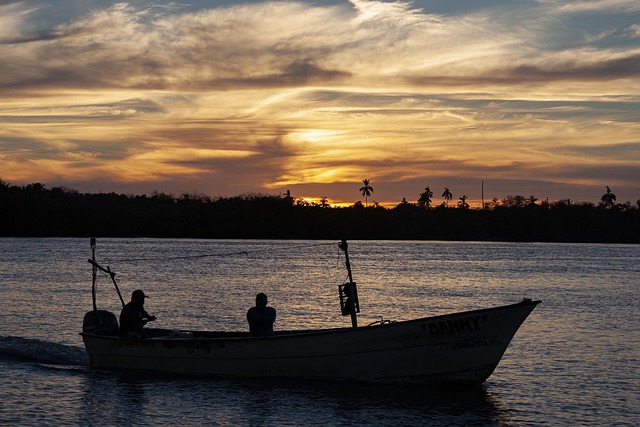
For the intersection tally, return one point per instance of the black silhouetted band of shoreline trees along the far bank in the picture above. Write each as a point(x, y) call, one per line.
point(35, 211)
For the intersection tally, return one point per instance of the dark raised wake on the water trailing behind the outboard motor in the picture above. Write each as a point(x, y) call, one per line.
point(40, 351)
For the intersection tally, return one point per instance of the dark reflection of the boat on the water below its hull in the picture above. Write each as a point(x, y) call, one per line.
point(140, 398)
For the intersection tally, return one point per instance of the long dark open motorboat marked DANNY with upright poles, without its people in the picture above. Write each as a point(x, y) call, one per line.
point(457, 348)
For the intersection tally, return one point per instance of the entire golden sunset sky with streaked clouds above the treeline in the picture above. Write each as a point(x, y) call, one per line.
point(487, 98)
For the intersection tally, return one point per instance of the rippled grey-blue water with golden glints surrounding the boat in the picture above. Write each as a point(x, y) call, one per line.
point(575, 361)
